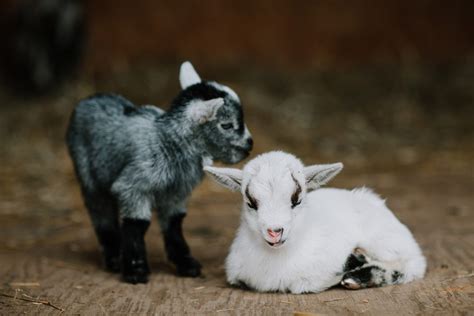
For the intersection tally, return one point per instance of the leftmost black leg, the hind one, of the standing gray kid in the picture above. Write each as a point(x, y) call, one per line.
point(104, 216)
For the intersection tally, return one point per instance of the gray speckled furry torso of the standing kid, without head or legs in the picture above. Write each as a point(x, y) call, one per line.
point(147, 159)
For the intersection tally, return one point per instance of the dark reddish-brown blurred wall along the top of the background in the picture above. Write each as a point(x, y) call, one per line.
point(282, 33)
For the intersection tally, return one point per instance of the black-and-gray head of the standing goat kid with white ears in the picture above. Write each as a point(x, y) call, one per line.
point(216, 113)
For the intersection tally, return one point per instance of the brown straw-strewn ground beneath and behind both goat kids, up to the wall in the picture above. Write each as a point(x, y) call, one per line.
point(404, 130)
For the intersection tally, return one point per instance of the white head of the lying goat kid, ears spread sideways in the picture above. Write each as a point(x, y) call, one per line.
point(274, 187)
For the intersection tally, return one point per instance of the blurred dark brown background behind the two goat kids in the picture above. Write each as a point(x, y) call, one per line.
point(387, 87)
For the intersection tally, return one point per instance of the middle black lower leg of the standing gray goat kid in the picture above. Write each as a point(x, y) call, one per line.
point(134, 261)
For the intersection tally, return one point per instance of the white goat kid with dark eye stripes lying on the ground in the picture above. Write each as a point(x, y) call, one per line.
point(299, 238)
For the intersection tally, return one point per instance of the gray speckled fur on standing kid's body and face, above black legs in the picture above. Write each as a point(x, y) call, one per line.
point(130, 160)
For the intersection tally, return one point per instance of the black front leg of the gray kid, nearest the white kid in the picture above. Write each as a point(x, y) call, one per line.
point(176, 247)
